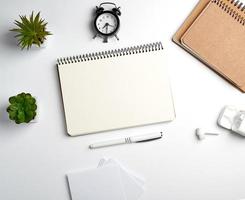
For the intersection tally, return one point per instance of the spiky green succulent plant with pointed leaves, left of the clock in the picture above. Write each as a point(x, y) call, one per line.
point(31, 31)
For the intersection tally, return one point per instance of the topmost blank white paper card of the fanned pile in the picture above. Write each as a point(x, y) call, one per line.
point(100, 183)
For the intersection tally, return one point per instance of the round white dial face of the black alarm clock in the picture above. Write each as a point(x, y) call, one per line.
point(107, 23)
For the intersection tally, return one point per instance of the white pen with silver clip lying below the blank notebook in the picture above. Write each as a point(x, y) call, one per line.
point(128, 140)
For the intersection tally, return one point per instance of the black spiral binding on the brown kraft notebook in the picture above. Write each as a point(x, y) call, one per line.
point(231, 11)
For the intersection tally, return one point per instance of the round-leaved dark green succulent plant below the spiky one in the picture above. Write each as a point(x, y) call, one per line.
point(22, 108)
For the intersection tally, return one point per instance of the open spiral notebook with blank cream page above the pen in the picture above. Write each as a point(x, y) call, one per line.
point(116, 89)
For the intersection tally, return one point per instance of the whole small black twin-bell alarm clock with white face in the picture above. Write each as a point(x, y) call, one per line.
point(106, 22)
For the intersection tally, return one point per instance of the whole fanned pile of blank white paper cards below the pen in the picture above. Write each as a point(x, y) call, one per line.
point(110, 180)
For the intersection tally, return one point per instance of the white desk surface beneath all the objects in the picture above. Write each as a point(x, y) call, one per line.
point(35, 158)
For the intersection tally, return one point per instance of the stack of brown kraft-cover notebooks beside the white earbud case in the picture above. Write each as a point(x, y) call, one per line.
point(215, 34)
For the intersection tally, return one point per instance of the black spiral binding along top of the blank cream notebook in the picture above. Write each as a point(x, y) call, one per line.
point(111, 53)
